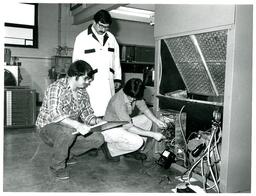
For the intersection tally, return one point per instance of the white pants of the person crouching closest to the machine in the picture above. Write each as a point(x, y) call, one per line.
point(120, 141)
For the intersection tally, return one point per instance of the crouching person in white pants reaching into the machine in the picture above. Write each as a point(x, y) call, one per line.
point(131, 137)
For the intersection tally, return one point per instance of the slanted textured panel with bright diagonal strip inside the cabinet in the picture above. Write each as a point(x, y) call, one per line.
point(201, 61)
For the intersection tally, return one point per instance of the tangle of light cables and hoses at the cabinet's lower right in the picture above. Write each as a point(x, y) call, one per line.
point(206, 154)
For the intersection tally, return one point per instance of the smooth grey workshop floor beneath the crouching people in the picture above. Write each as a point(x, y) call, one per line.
point(26, 170)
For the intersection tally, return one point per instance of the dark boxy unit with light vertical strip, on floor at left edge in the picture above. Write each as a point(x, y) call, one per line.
point(19, 107)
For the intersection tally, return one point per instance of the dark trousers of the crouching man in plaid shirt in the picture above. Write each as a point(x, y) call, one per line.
point(64, 143)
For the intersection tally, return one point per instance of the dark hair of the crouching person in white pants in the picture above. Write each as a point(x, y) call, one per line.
point(134, 88)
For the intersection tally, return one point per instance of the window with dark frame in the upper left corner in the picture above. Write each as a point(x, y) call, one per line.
point(21, 28)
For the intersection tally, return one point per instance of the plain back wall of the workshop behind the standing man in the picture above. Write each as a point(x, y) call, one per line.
point(36, 62)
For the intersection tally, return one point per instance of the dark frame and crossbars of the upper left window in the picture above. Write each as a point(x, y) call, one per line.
point(22, 26)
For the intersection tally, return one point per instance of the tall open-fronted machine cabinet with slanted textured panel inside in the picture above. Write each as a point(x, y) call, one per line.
point(204, 62)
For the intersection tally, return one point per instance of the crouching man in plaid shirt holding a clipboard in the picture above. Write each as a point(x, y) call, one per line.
point(66, 109)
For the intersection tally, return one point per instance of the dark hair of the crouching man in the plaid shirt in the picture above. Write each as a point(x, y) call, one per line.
point(80, 68)
